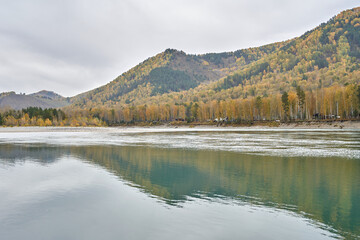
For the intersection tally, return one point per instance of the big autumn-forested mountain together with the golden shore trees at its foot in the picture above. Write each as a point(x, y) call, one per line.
point(316, 73)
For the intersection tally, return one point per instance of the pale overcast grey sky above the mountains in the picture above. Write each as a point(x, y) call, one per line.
point(72, 46)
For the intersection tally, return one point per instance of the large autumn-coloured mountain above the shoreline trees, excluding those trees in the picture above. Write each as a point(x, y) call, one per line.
point(326, 56)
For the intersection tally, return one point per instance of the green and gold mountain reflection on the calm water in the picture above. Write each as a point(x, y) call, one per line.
point(325, 189)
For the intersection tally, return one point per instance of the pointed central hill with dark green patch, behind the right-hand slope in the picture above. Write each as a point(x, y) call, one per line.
point(170, 71)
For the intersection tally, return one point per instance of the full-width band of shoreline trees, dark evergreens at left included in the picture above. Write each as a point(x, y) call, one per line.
point(334, 103)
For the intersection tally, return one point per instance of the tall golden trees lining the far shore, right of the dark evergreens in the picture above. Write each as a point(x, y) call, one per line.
point(335, 102)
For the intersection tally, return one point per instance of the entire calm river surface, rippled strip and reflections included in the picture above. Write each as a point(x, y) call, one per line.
point(144, 183)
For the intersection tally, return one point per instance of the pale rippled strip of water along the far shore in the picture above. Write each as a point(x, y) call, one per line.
point(275, 142)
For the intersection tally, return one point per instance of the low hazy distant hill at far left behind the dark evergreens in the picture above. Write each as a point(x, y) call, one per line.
point(43, 99)
